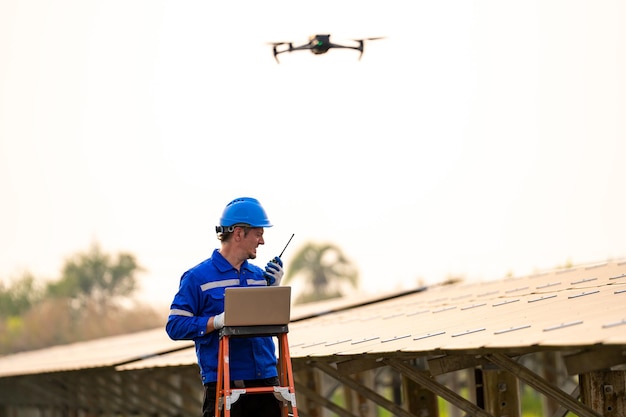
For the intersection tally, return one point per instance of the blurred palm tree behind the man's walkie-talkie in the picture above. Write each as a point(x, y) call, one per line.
point(324, 271)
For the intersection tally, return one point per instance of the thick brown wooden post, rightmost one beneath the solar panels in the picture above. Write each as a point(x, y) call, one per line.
point(604, 392)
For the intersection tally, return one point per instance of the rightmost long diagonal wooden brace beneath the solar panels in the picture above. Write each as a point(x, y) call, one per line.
point(541, 385)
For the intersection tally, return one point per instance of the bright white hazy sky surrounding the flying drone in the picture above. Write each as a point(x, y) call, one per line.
point(477, 139)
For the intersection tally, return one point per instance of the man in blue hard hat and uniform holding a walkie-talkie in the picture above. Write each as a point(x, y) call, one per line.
point(197, 312)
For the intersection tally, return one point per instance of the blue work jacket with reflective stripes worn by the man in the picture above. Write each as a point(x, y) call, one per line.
point(201, 296)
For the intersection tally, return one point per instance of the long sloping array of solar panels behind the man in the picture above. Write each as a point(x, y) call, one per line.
point(580, 306)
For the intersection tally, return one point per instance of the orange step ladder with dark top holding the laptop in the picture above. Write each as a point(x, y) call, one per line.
point(226, 396)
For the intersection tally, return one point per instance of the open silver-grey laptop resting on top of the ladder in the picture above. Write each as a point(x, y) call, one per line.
point(257, 306)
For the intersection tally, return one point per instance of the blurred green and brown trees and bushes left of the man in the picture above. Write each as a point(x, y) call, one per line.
point(84, 303)
